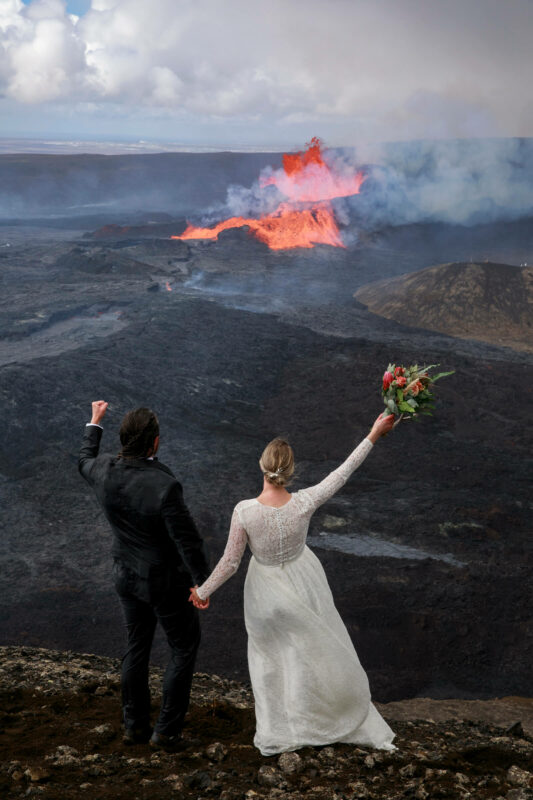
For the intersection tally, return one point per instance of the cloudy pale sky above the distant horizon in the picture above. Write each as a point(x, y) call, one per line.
point(270, 74)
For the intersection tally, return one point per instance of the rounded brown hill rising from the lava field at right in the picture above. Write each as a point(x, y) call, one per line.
point(489, 302)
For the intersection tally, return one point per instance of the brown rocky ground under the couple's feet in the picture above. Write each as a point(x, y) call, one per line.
point(60, 737)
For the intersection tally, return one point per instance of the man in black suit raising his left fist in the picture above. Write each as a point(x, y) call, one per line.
point(158, 554)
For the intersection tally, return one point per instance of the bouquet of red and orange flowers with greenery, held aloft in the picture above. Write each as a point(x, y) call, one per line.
point(407, 390)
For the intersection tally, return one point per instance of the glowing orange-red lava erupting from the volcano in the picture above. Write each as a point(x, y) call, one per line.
point(306, 218)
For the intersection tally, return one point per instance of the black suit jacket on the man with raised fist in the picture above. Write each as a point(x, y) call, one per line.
point(153, 532)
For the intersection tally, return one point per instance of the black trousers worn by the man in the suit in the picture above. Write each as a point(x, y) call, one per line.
point(145, 602)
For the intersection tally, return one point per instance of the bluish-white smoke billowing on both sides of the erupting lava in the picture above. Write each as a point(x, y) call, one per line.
point(458, 182)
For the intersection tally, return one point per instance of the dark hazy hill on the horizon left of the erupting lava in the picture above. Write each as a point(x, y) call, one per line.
point(81, 184)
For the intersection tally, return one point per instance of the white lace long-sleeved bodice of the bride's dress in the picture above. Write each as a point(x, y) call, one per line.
point(277, 535)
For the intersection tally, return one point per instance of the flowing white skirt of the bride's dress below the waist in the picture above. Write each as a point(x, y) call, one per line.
point(308, 683)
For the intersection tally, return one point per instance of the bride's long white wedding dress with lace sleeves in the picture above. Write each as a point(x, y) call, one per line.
point(308, 684)
